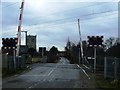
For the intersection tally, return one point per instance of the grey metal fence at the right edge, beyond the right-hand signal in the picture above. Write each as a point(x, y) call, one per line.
point(112, 67)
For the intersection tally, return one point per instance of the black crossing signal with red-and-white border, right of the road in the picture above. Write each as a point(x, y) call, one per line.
point(95, 41)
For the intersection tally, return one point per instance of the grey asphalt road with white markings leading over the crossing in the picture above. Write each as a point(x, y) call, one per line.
point(50, 75)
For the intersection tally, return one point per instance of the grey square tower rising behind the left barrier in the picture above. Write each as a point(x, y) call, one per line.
point(31, 41)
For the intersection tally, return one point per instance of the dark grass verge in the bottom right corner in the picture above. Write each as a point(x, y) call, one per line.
point(100, 82)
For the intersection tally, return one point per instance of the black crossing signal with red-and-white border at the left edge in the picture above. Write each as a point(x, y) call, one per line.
point(9, 43)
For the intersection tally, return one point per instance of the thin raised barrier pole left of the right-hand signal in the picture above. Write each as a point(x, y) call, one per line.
point(80, 49)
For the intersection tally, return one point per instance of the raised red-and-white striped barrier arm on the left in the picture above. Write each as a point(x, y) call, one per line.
point(19, 28)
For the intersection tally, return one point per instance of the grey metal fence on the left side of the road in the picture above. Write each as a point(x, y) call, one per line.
point(9, 64)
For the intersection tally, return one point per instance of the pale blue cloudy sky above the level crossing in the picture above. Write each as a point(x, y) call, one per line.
point(54, 21)
